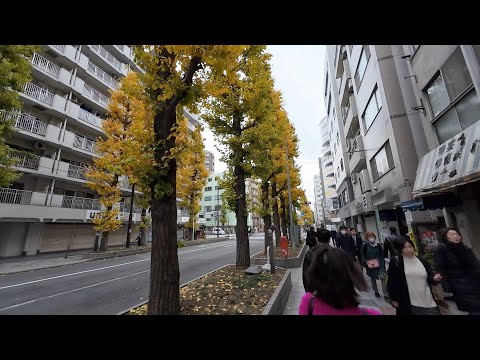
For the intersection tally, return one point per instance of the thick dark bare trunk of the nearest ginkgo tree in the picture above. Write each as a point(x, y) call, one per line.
point(164, 269)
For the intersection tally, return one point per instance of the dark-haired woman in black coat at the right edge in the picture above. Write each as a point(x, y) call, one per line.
point(458, 264)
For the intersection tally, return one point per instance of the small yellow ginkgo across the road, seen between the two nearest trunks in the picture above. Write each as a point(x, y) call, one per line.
point(191, 173)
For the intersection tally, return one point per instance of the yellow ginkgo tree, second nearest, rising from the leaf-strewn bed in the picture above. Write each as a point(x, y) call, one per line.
point(234, 113)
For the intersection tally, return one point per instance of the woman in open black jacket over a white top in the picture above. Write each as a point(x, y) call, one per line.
point(409, 281)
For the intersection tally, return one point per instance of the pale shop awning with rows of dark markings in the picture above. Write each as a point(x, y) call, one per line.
point(455, 162)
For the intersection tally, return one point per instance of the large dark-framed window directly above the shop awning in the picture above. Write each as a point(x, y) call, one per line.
point(453, 101)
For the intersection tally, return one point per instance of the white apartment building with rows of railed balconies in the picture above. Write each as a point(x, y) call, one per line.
point(49, 207)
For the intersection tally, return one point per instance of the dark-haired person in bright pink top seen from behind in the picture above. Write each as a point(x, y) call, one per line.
point(333, 279)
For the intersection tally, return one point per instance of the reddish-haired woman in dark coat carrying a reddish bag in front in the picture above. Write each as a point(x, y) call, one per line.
point(371, 255)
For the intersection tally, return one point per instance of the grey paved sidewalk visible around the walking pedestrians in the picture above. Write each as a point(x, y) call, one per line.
point(366, 298)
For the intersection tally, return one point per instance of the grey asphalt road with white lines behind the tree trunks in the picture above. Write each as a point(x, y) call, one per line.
point(104, 287)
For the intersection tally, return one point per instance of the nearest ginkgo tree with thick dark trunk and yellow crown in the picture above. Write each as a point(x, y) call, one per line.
point(175, 76)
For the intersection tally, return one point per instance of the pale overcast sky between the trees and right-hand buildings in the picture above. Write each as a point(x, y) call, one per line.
point(298, 72)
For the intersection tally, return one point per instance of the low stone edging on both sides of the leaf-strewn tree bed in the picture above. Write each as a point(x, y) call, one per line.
point(275, 305)
